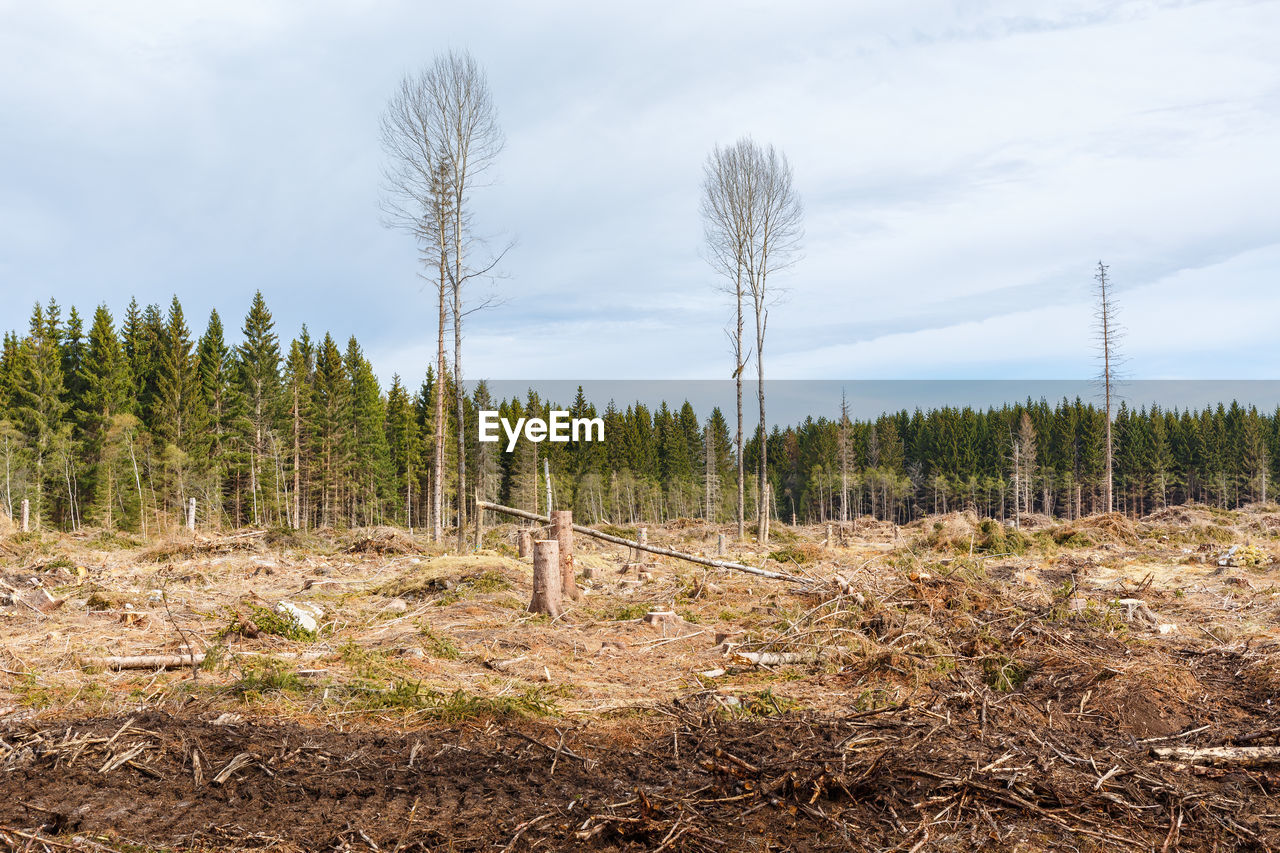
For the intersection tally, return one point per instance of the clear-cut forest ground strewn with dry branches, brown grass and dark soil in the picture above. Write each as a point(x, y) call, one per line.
point(947, 686)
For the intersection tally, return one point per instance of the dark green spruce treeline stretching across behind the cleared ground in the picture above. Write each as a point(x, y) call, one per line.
point(120, 427)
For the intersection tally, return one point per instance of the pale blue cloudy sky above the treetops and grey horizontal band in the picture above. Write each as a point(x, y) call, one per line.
point(964, 167)
